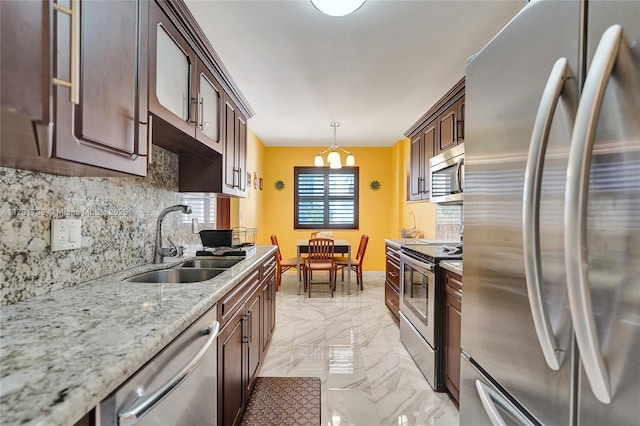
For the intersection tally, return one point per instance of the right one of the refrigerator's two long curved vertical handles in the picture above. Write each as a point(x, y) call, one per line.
point(575, 214)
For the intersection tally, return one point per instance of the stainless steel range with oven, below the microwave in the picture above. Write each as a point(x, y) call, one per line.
point(420, 296)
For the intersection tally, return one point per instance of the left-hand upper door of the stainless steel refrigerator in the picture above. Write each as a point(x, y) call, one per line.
point(504, 90)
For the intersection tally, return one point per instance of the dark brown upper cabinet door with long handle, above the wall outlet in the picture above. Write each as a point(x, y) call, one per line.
point(107, 126)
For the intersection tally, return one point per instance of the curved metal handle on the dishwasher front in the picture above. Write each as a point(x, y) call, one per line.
point(145, 403)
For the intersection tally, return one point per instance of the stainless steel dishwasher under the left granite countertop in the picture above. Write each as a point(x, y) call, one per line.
point(177, 387)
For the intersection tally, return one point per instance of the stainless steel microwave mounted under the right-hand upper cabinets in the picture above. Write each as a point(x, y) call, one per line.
point(447, 176)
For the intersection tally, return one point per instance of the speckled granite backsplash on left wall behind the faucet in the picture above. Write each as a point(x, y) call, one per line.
point(118, 225)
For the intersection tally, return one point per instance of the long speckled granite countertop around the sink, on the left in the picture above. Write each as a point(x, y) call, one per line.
point(63, 352)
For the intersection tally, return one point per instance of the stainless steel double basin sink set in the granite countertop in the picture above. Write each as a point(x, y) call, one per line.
point(188, 272)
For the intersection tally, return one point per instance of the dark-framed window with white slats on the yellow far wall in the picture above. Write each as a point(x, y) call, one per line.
point(325, 198)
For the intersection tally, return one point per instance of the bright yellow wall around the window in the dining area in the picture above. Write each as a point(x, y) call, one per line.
point(382, 213)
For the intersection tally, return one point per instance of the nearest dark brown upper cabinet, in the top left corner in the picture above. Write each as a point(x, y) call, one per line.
point(74, 87)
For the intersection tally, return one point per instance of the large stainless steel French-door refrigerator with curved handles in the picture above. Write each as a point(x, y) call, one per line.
point(551, 285)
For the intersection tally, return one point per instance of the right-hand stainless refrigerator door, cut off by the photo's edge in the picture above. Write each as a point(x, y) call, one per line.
point(610, 376)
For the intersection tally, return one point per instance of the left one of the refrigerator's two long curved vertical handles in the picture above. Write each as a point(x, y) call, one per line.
point(531, 211)
